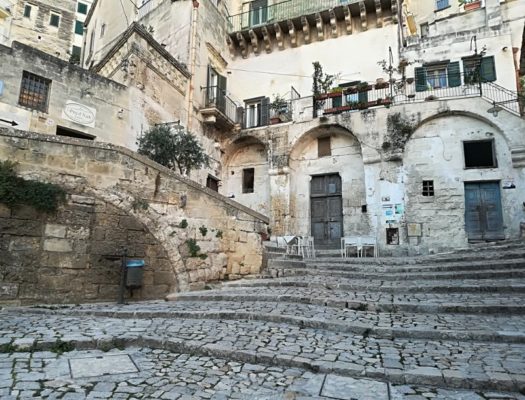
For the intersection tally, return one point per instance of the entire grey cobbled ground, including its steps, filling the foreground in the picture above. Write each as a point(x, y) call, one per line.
point(312, 335)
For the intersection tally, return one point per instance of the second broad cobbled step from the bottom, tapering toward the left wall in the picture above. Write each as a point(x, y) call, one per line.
point(379, 325)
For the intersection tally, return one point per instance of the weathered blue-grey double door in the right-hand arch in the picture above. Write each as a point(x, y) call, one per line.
point(483, 214)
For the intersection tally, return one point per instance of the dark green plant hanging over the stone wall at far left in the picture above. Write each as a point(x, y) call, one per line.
point(15, 190)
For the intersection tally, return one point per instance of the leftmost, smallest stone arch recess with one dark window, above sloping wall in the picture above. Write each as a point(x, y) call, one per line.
point(244, 155)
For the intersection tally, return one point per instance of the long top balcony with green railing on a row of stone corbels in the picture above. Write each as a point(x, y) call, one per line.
point(258, 24)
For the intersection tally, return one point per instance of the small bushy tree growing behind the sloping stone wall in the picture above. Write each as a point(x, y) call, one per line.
point(175, 149)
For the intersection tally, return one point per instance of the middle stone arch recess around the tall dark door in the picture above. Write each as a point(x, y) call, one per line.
point(346, 159)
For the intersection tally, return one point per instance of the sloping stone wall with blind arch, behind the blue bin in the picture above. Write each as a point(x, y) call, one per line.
point(118, 198)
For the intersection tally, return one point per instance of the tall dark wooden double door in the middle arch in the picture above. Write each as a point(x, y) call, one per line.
point(326, 209)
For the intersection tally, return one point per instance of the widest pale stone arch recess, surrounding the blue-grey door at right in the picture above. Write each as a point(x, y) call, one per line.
point(434, 152)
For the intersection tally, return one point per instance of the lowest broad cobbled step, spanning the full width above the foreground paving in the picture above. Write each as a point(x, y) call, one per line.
point(442, 363)
